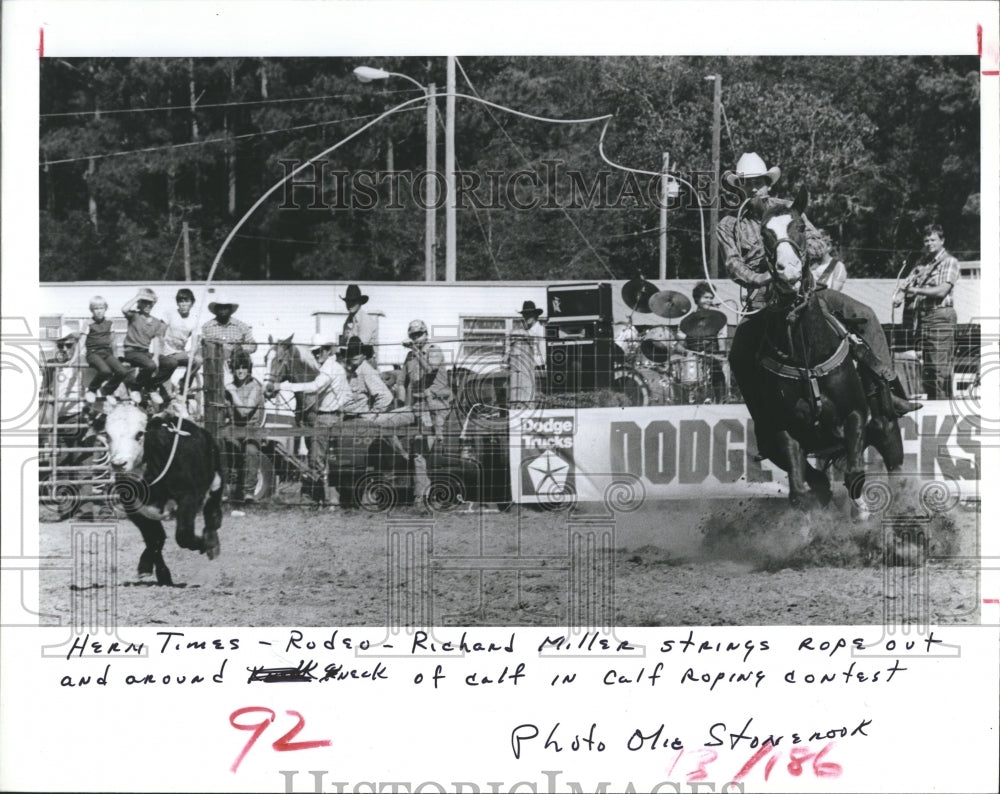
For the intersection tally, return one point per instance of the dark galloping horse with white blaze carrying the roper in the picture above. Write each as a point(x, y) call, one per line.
point(819, 404)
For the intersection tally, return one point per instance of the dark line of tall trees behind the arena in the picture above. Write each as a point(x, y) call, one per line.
point(145, 164)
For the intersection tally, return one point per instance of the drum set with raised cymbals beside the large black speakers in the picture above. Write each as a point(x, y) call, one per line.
point(661, 368)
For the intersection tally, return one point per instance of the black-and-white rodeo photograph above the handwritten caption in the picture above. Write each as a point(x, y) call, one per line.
point(586, 330)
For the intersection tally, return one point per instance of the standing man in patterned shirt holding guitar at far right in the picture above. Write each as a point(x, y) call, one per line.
point(928, 292)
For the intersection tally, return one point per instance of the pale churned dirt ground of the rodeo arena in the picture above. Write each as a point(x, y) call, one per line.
point(754, 562)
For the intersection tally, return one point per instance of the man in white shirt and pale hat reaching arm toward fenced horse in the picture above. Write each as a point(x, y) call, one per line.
point(333, 393)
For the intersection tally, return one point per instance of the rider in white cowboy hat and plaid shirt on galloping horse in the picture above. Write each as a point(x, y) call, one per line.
point(742, 250)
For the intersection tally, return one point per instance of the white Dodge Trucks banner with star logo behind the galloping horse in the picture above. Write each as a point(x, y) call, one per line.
point(699, 451)
